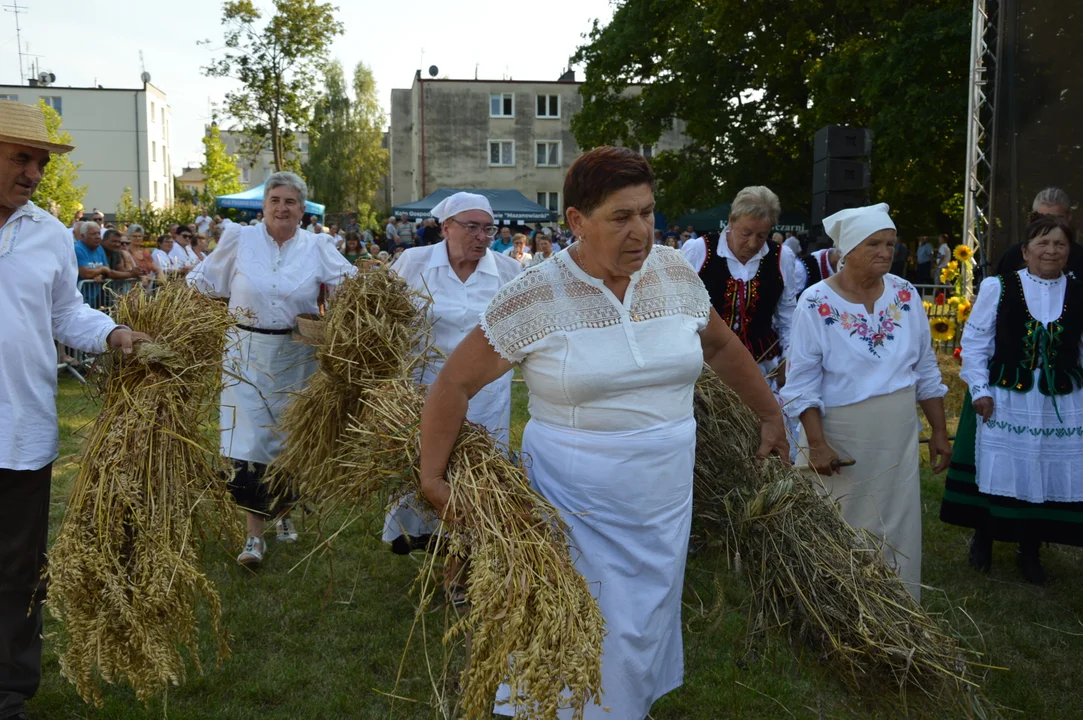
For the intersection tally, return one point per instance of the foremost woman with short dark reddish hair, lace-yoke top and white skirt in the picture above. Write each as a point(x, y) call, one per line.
point(611, 336)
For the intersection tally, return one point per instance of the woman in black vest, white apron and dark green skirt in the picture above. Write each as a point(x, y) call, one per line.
point(1017, 472)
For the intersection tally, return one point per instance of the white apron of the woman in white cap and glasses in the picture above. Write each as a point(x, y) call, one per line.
point(491, 409)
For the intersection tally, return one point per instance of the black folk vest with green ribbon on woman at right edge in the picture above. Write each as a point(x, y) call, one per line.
point(1024, 345)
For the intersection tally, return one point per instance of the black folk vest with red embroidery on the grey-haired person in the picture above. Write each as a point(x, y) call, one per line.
point(748, 308)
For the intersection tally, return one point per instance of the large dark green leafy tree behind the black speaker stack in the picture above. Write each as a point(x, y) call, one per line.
point(753, 85)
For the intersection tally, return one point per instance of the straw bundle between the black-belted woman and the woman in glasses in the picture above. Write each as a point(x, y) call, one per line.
point(373, 328)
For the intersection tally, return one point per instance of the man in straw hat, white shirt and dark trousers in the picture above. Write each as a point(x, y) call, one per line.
point(38, 302)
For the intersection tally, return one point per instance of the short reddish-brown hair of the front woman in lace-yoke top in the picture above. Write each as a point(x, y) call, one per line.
point(601, 173)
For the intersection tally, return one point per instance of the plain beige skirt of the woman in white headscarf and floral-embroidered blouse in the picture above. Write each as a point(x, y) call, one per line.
point(882, 492)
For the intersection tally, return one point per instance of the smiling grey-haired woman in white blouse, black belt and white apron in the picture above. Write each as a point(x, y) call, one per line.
point(273, 271)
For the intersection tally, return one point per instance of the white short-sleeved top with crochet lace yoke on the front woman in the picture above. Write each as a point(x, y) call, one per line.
point(595, 363)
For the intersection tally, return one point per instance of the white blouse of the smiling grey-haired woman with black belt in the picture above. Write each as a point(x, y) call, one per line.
point(275, 284)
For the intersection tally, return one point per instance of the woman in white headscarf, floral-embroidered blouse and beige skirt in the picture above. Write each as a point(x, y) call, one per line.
point(862, 358)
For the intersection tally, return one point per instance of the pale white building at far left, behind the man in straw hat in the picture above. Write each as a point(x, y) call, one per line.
point(122, 137)
